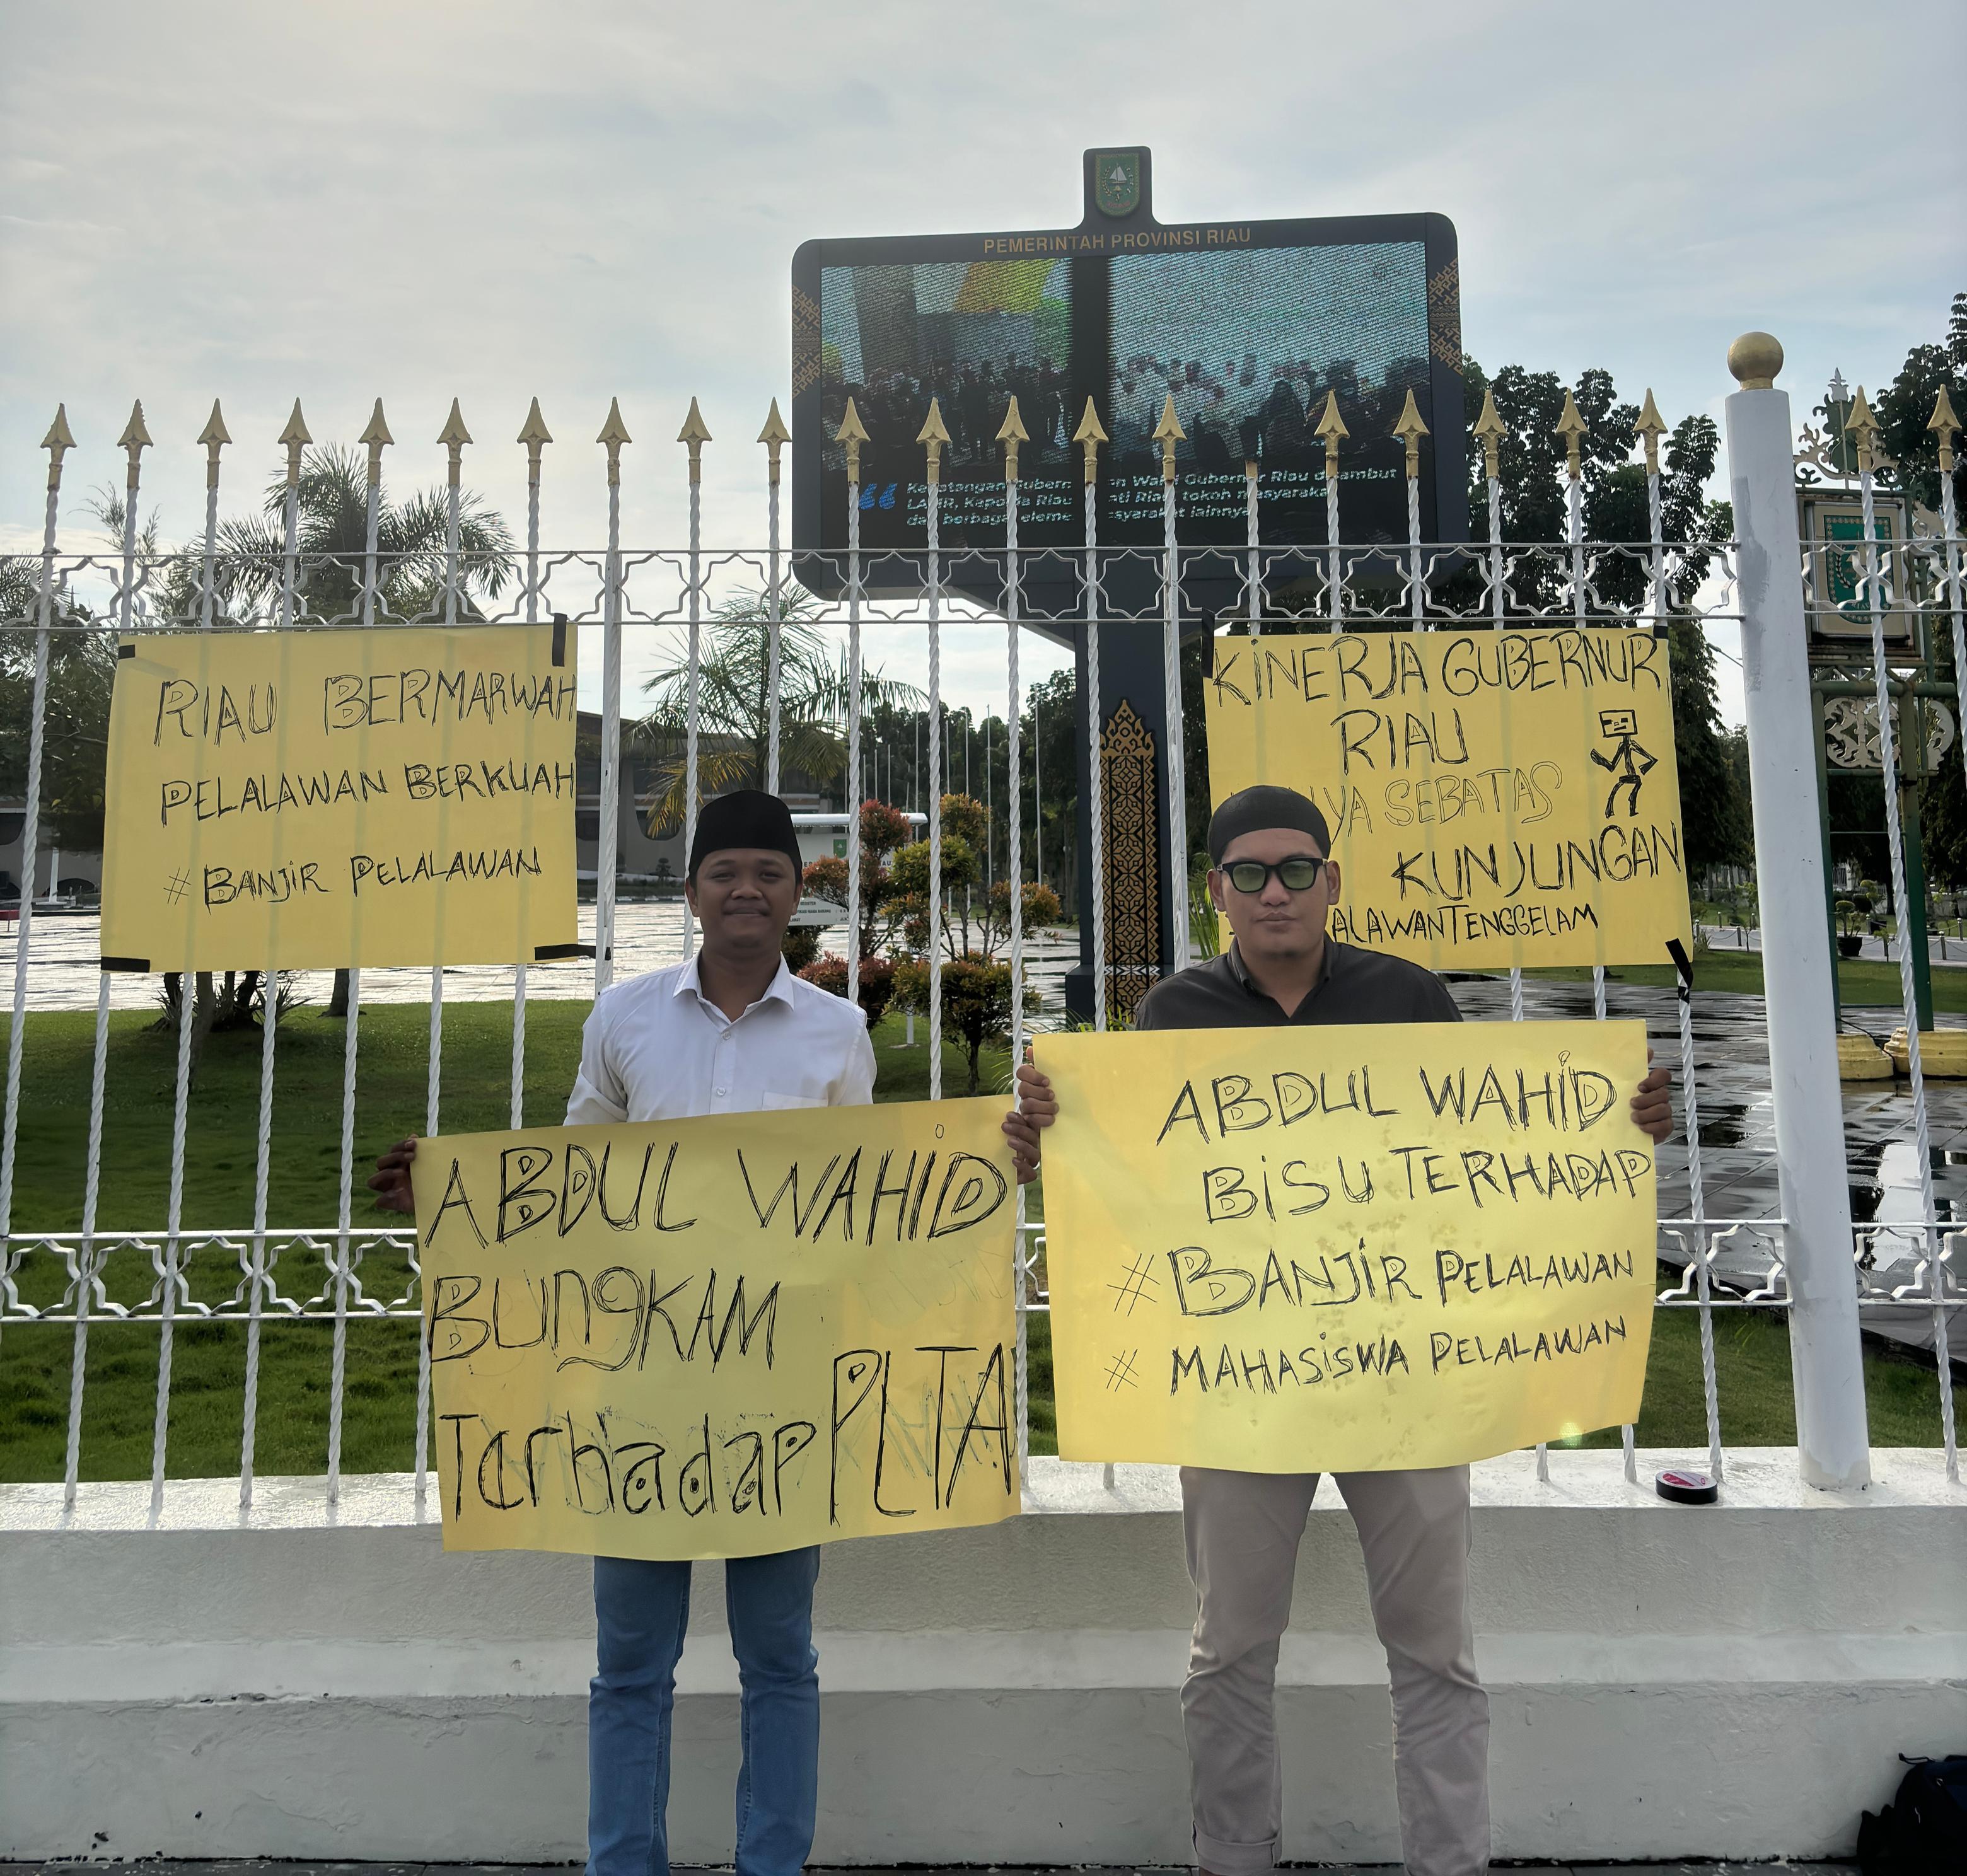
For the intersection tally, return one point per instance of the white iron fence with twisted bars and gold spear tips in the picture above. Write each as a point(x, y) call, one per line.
point(267, 1277)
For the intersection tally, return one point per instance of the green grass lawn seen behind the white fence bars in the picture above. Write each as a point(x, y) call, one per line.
point(209, 1360)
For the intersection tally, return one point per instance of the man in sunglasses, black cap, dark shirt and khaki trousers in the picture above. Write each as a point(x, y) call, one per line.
point(1276, 886)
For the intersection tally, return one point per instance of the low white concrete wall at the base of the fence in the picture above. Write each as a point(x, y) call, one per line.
point(329, 1684)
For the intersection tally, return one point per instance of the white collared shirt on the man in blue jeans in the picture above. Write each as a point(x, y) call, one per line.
point(658, 1049)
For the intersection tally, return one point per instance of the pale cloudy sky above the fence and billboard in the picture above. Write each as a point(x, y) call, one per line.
point(497, 202)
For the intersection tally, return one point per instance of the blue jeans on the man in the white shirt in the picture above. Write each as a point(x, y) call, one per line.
point(640, 1615)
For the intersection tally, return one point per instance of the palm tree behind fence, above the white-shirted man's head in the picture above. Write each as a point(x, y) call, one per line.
point(735, 703)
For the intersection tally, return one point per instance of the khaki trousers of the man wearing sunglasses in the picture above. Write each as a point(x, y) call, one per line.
point(1242, 1533)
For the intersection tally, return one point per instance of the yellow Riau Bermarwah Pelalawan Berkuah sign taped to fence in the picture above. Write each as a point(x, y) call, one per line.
point(322, 799)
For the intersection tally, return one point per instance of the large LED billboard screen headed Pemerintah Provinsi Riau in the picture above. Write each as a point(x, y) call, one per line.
point(1248, 325)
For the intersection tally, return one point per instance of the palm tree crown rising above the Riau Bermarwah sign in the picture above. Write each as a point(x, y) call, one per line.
point(331, 540)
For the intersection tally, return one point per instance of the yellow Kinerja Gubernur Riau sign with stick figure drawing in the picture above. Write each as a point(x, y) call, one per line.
point(1496, 799)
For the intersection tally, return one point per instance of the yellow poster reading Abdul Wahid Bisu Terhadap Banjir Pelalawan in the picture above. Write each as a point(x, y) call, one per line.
point(1346, 1250)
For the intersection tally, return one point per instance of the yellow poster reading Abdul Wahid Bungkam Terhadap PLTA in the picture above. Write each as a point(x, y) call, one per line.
point(723, 1336)
